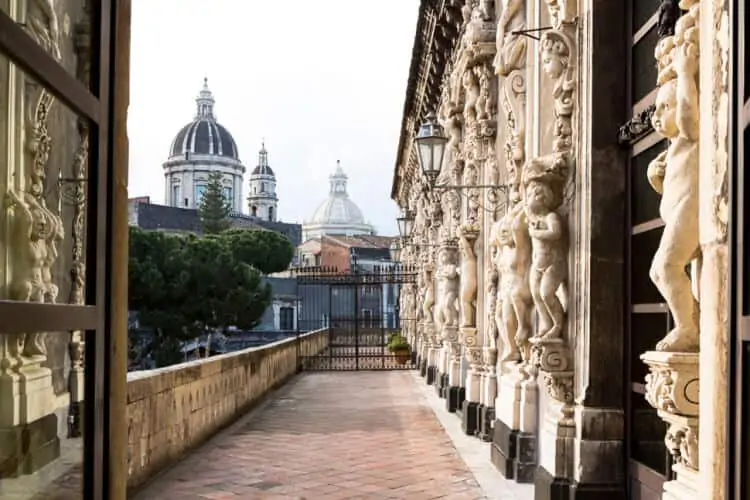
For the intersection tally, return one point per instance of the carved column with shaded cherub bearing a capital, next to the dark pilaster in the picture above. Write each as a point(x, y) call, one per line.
point(550, 199)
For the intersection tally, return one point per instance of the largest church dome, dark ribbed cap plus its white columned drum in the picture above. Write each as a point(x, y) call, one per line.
point(200, 148)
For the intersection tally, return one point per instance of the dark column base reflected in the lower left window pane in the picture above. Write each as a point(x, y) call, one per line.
point(27, 448)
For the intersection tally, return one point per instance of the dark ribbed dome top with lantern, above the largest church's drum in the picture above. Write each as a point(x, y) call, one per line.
point(204, 135)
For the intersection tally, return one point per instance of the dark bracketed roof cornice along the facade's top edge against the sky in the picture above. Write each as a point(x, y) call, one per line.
point(438, 33)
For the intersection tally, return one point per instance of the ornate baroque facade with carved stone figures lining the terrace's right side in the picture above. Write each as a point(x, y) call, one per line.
point(585, 170)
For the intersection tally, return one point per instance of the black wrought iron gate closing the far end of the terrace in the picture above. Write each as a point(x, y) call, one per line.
point(360, 310)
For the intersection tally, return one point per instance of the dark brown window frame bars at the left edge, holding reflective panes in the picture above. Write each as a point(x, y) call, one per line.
point(93, 103)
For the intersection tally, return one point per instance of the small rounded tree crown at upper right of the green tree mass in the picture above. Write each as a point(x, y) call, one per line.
point(267, 251)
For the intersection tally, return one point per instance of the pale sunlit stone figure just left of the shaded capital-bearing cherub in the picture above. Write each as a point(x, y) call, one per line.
point(513, 261)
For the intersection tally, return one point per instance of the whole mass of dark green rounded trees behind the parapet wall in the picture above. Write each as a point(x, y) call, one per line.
point(184, 286)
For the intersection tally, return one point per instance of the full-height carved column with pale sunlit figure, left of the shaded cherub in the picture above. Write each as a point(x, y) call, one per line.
point(514, 434)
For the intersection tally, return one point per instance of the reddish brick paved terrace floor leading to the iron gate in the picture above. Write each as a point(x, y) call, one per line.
point(328, 436)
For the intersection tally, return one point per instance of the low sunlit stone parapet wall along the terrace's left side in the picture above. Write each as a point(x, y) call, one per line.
point(174, 409)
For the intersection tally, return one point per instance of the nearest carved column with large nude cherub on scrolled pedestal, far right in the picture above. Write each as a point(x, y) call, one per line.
point(673, 379)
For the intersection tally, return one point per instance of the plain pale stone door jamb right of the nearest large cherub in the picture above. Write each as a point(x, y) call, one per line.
point(713, 221)
